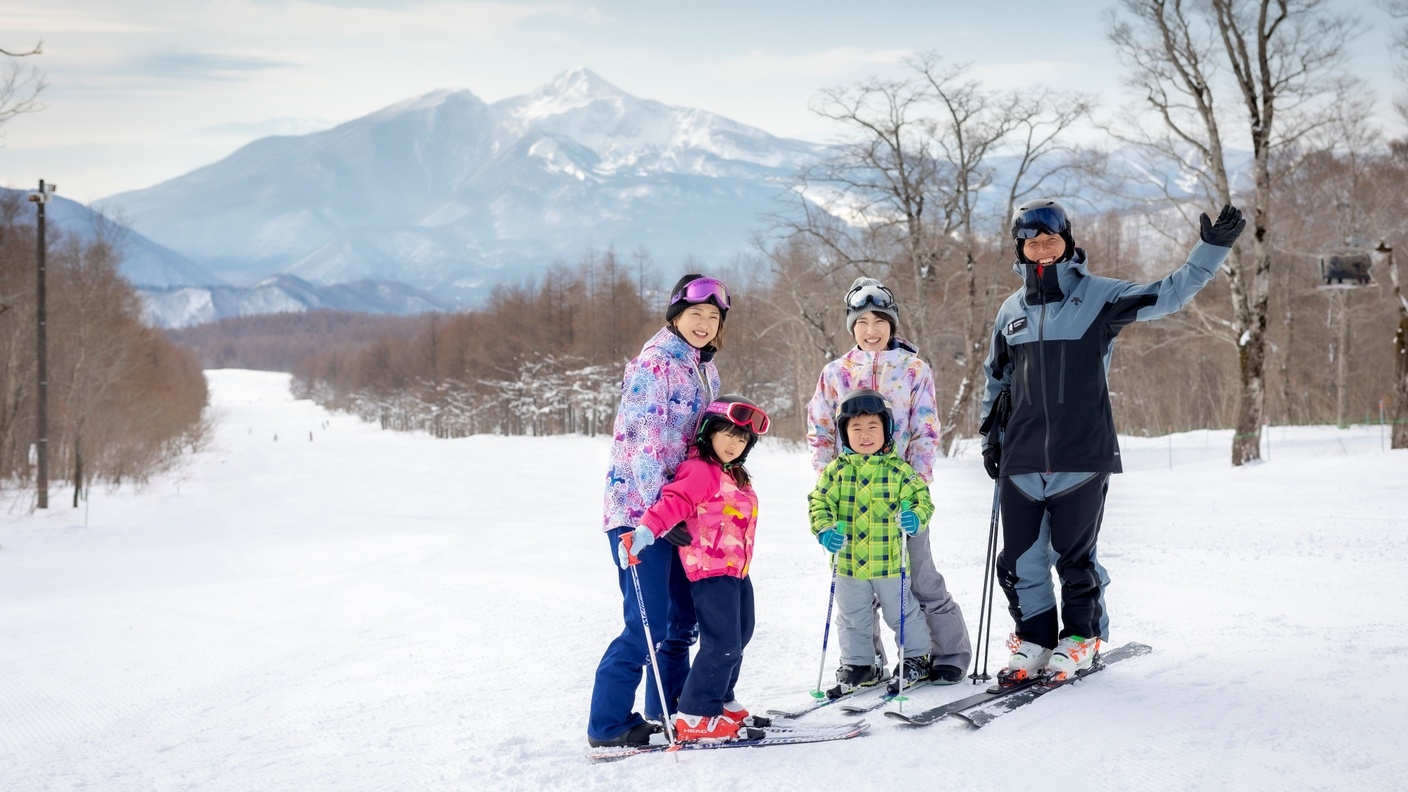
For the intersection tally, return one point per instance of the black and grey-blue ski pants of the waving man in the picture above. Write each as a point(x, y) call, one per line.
point(1055, 529)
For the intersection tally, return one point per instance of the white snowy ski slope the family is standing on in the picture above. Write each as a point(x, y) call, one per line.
point(360, 610)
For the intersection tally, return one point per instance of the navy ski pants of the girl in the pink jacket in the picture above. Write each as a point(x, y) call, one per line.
point(724, 608)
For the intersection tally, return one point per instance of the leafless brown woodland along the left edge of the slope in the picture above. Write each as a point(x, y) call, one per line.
point(123, 401)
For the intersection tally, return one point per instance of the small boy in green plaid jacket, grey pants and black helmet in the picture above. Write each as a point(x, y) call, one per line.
point(864, 500)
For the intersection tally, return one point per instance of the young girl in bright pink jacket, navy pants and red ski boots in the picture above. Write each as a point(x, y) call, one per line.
point(716, 504)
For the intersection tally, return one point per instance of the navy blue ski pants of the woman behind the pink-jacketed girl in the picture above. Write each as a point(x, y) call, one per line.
point(671, 612)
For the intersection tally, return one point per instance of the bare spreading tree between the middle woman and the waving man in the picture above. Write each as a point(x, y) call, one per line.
point(900, 199)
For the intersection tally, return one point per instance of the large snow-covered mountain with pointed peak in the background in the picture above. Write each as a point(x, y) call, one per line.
point(454, 195)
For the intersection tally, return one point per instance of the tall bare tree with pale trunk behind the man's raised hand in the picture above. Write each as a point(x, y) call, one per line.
point(1282, 63)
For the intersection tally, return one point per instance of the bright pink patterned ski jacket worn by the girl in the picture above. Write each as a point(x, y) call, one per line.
point(722, 518)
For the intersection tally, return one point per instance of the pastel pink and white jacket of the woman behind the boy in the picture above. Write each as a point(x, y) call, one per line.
point(905, 381)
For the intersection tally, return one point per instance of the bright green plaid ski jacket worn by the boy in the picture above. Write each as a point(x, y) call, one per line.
point(865, 494)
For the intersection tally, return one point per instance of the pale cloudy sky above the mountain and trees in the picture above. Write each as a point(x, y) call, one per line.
point(143, 91)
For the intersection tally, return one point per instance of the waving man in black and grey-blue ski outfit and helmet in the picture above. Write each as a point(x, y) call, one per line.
point(1051, 438)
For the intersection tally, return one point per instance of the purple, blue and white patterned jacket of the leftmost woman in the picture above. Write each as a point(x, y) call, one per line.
point(664, 392)
